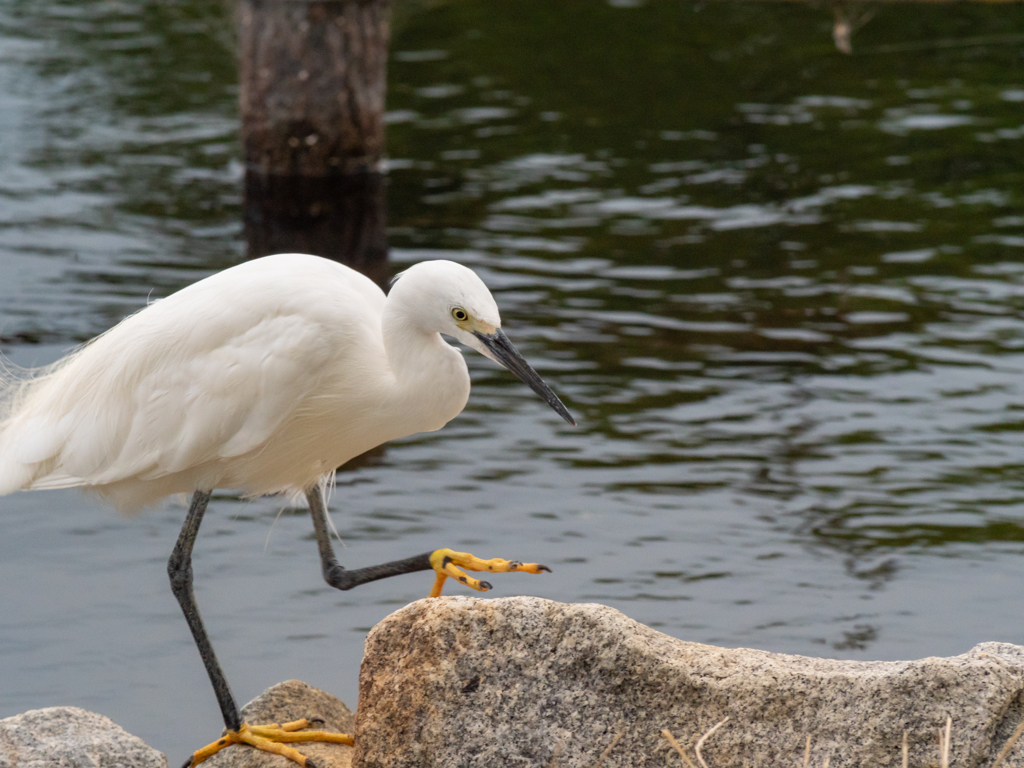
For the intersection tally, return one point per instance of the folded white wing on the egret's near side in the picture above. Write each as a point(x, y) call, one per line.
point(166, 414)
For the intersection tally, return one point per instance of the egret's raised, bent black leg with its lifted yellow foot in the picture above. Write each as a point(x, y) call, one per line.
point(444, 563)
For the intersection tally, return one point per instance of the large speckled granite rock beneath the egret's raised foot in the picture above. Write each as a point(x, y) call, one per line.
point(456, 682)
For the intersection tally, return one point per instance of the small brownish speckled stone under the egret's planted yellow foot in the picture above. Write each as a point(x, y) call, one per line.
point(284, 703)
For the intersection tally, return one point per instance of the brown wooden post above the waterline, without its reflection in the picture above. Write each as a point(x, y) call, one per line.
point(314, 78)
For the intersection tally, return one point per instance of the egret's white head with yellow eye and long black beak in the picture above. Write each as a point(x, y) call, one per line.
point(453, 301)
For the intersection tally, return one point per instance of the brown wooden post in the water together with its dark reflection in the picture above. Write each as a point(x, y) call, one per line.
point(314, 79)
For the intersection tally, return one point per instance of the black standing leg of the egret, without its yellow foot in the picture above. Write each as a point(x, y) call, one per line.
point(180, 570)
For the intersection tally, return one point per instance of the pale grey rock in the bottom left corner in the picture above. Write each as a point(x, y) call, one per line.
point(70, 738)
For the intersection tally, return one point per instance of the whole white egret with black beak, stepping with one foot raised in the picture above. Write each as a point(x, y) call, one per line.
point(263, 378)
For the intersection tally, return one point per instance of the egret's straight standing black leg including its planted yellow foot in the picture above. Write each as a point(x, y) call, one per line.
point(267, 738)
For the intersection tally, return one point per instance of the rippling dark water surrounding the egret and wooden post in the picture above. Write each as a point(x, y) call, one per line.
point(783, 290)
